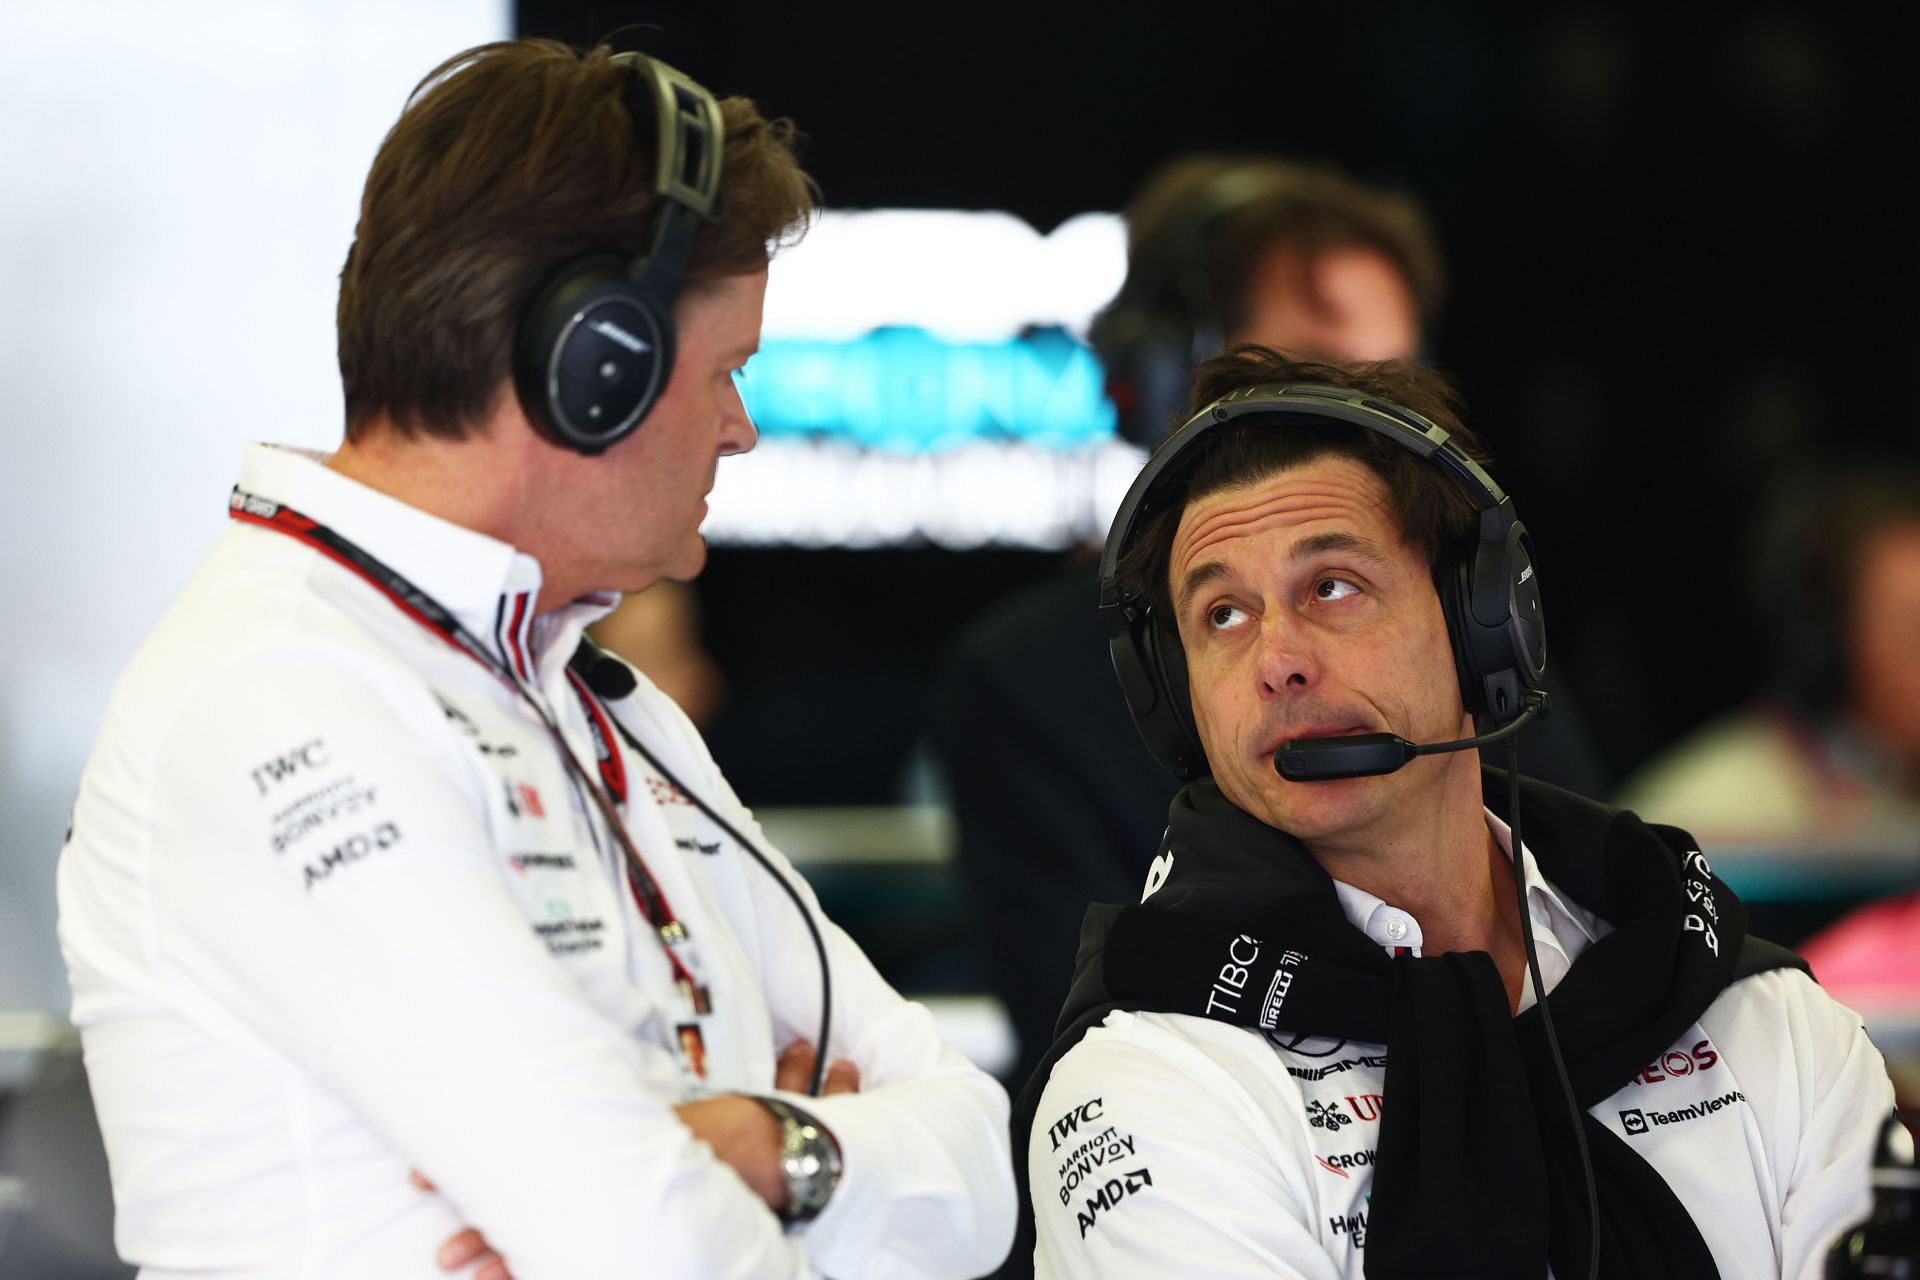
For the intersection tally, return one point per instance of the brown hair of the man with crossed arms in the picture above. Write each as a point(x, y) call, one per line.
point(506, 162)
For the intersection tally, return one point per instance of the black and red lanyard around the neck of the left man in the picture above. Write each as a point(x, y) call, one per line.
point(437, 619)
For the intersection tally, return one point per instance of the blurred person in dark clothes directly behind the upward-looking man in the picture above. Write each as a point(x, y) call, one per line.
point(1057, 799)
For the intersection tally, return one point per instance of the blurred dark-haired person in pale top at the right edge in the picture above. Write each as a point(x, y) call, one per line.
point(1829, 755)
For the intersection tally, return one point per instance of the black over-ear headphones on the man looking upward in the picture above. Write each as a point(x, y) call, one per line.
point(1489, 590)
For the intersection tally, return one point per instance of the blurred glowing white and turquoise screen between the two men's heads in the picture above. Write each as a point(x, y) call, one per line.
point(924, 379)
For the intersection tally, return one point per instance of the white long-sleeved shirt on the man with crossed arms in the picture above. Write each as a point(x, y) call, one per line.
point(335, 911)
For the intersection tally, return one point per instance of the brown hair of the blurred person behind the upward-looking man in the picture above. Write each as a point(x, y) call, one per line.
point(1216, 216)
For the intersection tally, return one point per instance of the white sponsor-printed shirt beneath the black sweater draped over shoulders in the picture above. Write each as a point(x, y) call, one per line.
point(1176, 1145)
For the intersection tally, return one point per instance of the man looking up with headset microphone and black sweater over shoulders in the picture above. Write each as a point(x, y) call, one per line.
point(1316, 1047)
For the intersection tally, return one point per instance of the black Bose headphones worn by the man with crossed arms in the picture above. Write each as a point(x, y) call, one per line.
point(596, 348)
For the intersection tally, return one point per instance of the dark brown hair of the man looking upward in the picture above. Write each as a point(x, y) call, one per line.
point(1433, 511)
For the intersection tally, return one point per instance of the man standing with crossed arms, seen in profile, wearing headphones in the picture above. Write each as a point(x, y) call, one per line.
point(375, 870)
